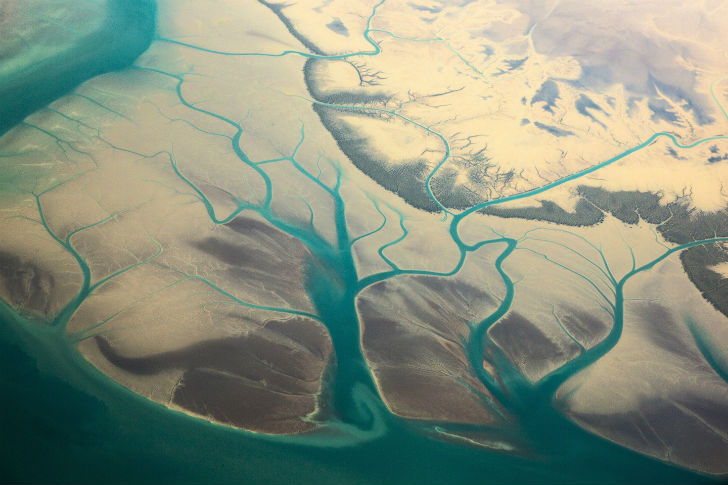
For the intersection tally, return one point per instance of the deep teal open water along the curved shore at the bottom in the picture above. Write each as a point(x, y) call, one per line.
point(64, 422)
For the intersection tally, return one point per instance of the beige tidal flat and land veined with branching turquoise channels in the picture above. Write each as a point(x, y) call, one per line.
point(478, 217)
